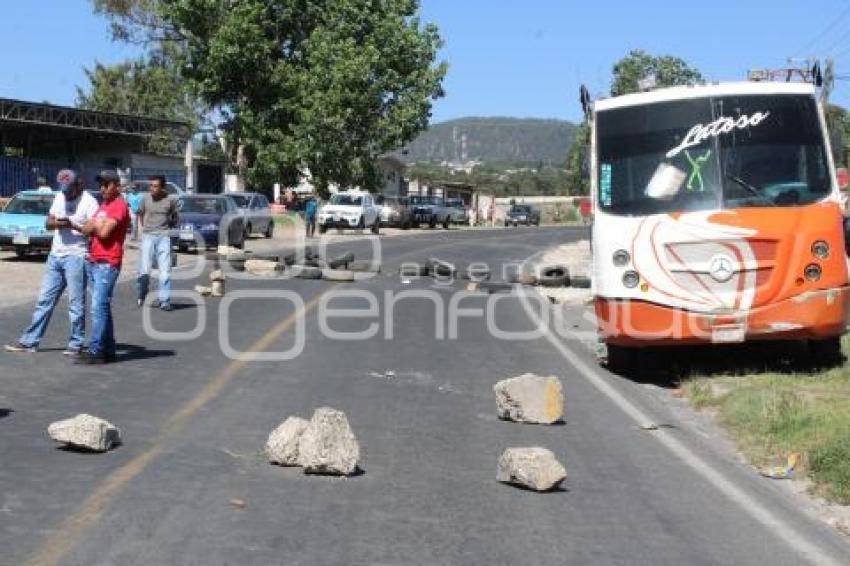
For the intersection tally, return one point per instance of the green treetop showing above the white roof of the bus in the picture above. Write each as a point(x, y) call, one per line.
point(638, 64)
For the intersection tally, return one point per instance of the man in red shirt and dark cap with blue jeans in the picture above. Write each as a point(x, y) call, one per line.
point(107, 229)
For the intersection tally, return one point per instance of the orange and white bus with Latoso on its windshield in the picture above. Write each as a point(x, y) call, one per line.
point(717, 219)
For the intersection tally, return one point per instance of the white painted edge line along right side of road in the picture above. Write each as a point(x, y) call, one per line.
point(780, 528)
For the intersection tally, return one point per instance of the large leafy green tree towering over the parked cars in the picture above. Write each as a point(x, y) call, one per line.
point(324, 84)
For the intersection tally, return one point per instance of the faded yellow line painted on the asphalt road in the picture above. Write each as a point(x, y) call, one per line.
point(66, 536)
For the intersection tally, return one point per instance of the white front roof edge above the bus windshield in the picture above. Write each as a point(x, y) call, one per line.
point(685, 92)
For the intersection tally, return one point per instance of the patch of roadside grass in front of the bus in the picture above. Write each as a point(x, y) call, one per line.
point(772, 414)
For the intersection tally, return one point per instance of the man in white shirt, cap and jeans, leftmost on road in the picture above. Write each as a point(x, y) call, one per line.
point(66, 266)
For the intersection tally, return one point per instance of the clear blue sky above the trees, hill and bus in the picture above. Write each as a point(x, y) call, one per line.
point(507, 57)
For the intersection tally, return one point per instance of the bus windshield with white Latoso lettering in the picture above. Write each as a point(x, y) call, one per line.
point(710, 153)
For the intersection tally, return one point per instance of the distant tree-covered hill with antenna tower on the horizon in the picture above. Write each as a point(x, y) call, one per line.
point(493, 140)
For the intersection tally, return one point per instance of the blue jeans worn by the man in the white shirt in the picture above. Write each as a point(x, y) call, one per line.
point(60, 272)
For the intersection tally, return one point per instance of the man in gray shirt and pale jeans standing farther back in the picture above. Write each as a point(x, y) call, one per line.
point(157, 216)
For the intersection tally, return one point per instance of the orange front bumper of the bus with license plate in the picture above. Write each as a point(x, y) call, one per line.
point(810, 315)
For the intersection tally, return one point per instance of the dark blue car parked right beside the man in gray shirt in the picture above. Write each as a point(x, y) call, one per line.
point(202, 218)
